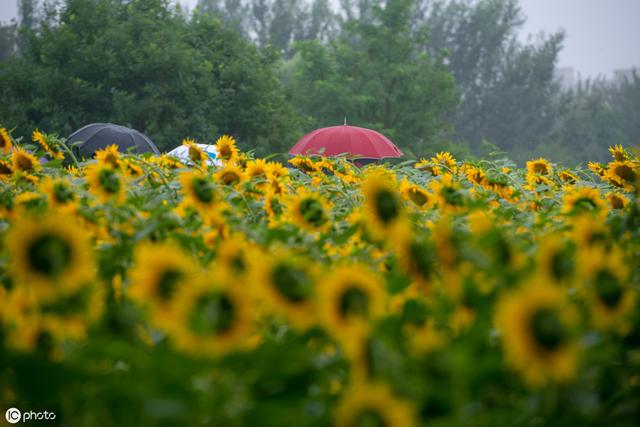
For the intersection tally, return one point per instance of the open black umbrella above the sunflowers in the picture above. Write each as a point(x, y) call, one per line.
point(97, 136)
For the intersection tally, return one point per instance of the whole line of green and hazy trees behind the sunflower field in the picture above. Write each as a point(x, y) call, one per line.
point(430, 74)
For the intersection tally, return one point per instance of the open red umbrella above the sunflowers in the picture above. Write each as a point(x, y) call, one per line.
point(351, 140)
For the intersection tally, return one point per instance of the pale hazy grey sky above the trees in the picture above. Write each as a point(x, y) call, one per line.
point(602, 35)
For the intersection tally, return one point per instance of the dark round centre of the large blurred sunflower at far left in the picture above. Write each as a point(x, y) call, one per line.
point(49, 255)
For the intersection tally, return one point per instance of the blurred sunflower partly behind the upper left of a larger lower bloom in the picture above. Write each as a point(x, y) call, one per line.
point(160, 270)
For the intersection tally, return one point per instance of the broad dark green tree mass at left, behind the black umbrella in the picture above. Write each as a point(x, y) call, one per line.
point(144, 64)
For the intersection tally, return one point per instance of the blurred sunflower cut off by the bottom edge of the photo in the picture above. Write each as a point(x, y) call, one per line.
point(370, 404)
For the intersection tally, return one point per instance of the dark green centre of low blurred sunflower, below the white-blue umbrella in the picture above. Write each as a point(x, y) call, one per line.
point(212, 314)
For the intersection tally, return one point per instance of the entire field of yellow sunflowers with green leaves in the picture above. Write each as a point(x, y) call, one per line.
point(144, 291)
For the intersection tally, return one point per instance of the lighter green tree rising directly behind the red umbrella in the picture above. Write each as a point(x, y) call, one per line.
point(375, 76)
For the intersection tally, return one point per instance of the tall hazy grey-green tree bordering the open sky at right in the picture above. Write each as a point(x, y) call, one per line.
point(507, 88)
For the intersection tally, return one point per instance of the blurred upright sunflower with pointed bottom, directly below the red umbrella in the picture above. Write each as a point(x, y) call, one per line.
point(351, 299)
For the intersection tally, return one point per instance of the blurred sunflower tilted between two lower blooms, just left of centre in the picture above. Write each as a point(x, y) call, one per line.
point(287, 284)
